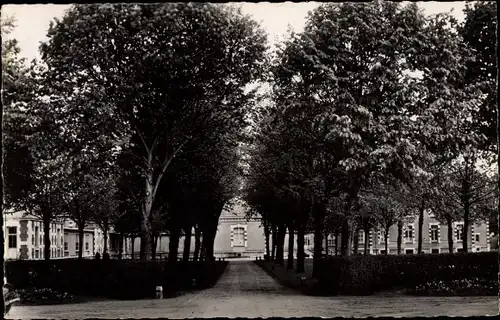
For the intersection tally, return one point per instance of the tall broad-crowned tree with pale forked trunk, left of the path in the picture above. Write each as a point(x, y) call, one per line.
point(167, 69)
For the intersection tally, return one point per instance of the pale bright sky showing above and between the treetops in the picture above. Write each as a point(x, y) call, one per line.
point(33, 19)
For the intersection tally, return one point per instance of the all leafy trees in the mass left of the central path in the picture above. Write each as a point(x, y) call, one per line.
point(131, 119)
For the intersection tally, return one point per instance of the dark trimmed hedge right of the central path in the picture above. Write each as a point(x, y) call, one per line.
point(369, 274)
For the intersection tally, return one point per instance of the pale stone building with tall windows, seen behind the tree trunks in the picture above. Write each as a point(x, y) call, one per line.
point(237, 236)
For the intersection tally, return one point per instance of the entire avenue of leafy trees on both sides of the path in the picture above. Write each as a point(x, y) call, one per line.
point(141, 118)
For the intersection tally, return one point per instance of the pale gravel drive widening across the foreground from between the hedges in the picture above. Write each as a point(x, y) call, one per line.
point(244, 290)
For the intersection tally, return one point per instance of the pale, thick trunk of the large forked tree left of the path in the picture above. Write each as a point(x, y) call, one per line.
point(145, 250)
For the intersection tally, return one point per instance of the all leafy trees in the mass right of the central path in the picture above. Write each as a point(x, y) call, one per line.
point(378, 113)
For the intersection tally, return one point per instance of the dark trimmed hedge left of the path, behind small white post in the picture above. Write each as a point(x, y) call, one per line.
point(118, 279)
